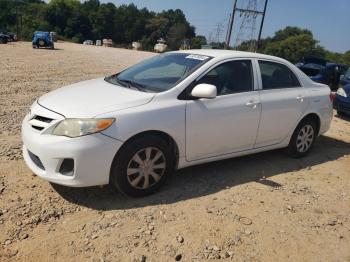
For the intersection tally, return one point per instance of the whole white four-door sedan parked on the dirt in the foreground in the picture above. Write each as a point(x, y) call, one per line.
point(174, 110)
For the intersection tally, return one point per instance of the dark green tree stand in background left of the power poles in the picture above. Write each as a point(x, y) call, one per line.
point(77, 21)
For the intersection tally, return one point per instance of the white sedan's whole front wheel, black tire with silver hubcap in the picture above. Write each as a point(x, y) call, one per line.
point(132, 157)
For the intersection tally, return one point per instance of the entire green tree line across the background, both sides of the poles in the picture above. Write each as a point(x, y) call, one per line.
point(77, 21)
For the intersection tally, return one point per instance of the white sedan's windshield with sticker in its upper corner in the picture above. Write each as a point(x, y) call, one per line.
point(159, 73)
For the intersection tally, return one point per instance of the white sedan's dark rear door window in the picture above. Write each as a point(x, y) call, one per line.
point(276, 76)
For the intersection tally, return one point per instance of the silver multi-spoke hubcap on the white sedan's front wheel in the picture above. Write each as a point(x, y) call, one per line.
point(146, 168)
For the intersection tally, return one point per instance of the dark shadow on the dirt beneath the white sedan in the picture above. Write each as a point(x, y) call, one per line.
point(210, 178)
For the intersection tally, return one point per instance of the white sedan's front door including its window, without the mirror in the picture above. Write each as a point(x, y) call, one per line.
point(229, 122)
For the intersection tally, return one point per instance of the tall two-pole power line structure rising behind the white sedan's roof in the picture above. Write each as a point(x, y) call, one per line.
point(249, 15)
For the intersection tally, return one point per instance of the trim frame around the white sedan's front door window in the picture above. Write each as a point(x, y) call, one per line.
point(185, 94)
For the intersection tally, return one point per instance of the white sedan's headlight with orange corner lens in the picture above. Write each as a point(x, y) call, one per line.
point(72, 127)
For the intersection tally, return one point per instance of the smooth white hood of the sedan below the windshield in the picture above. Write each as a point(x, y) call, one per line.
point(91, 98)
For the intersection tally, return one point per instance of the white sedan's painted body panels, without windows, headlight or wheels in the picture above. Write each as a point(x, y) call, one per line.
point(204, 130)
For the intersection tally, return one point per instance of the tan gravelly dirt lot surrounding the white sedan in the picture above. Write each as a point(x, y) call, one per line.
point(264, 207)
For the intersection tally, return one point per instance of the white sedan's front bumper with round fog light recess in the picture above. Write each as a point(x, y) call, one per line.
point(92, 155)
